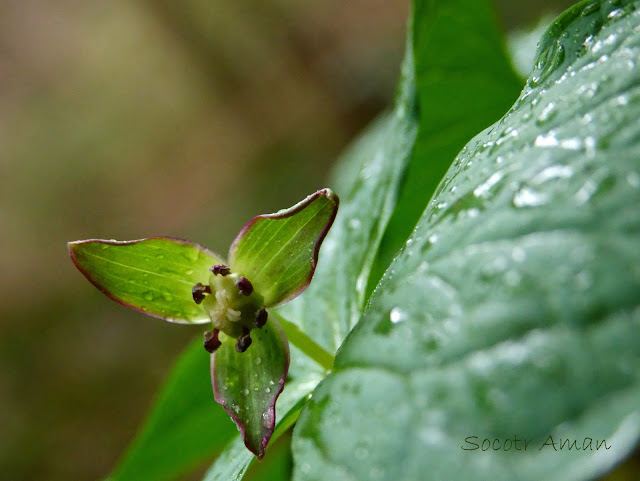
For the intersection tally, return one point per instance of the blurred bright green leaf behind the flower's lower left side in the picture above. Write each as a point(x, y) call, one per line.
point(184, 427)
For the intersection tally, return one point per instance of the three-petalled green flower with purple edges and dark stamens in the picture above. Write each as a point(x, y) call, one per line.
point(270, 262)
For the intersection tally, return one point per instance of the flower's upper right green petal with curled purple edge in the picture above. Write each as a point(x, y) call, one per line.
point(278, 252)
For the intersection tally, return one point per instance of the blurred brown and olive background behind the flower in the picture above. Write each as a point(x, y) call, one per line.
point(128, 119)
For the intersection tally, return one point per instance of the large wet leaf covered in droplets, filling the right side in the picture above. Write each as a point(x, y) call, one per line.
point(513, 309)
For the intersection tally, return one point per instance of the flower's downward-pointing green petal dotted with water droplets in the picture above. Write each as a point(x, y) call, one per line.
point(247, 384)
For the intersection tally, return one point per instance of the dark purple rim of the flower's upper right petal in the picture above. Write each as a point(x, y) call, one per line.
point(288, 213)
